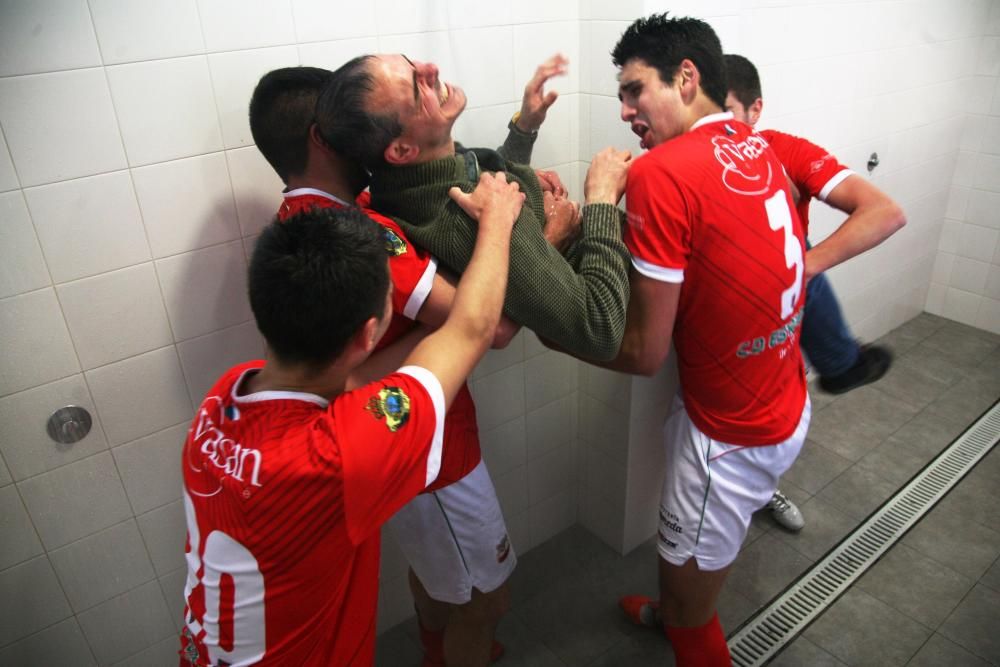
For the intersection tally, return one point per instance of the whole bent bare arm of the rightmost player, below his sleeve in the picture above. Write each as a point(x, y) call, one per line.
point(872, 218)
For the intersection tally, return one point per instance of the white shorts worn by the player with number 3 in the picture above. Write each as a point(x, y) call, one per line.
point(712, 489)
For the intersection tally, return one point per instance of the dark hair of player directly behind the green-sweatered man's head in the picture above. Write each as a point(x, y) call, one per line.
point(282, 109)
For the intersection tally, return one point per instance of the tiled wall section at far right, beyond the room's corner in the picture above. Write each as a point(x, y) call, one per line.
point(965, 284)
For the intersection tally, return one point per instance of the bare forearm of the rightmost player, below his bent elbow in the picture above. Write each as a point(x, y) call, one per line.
point(862, 230)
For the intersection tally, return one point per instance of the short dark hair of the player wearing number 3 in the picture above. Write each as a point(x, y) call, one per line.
point(662, 43)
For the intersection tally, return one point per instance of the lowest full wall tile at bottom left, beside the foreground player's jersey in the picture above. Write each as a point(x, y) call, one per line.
point(127, 624)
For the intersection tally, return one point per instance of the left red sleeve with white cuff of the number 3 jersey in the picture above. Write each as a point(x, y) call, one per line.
point(658, 232)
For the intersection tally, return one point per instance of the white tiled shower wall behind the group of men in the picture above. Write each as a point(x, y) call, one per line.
point(130, 193)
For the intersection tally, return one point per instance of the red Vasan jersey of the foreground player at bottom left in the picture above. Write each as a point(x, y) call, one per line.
point(285, 493)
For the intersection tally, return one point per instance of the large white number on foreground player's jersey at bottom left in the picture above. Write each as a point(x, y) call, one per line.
point(233, 591)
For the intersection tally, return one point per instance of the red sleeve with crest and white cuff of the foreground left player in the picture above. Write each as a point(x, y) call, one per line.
point(390, 435)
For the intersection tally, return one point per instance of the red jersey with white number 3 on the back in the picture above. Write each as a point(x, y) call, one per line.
point(711, 208)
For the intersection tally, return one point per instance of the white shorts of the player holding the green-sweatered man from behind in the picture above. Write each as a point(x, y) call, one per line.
point(455, 539)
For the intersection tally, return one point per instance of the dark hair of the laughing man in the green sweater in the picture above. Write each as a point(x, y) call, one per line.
point(344, 121)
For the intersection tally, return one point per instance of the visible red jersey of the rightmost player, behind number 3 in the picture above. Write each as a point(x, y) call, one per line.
point(813, 170)
